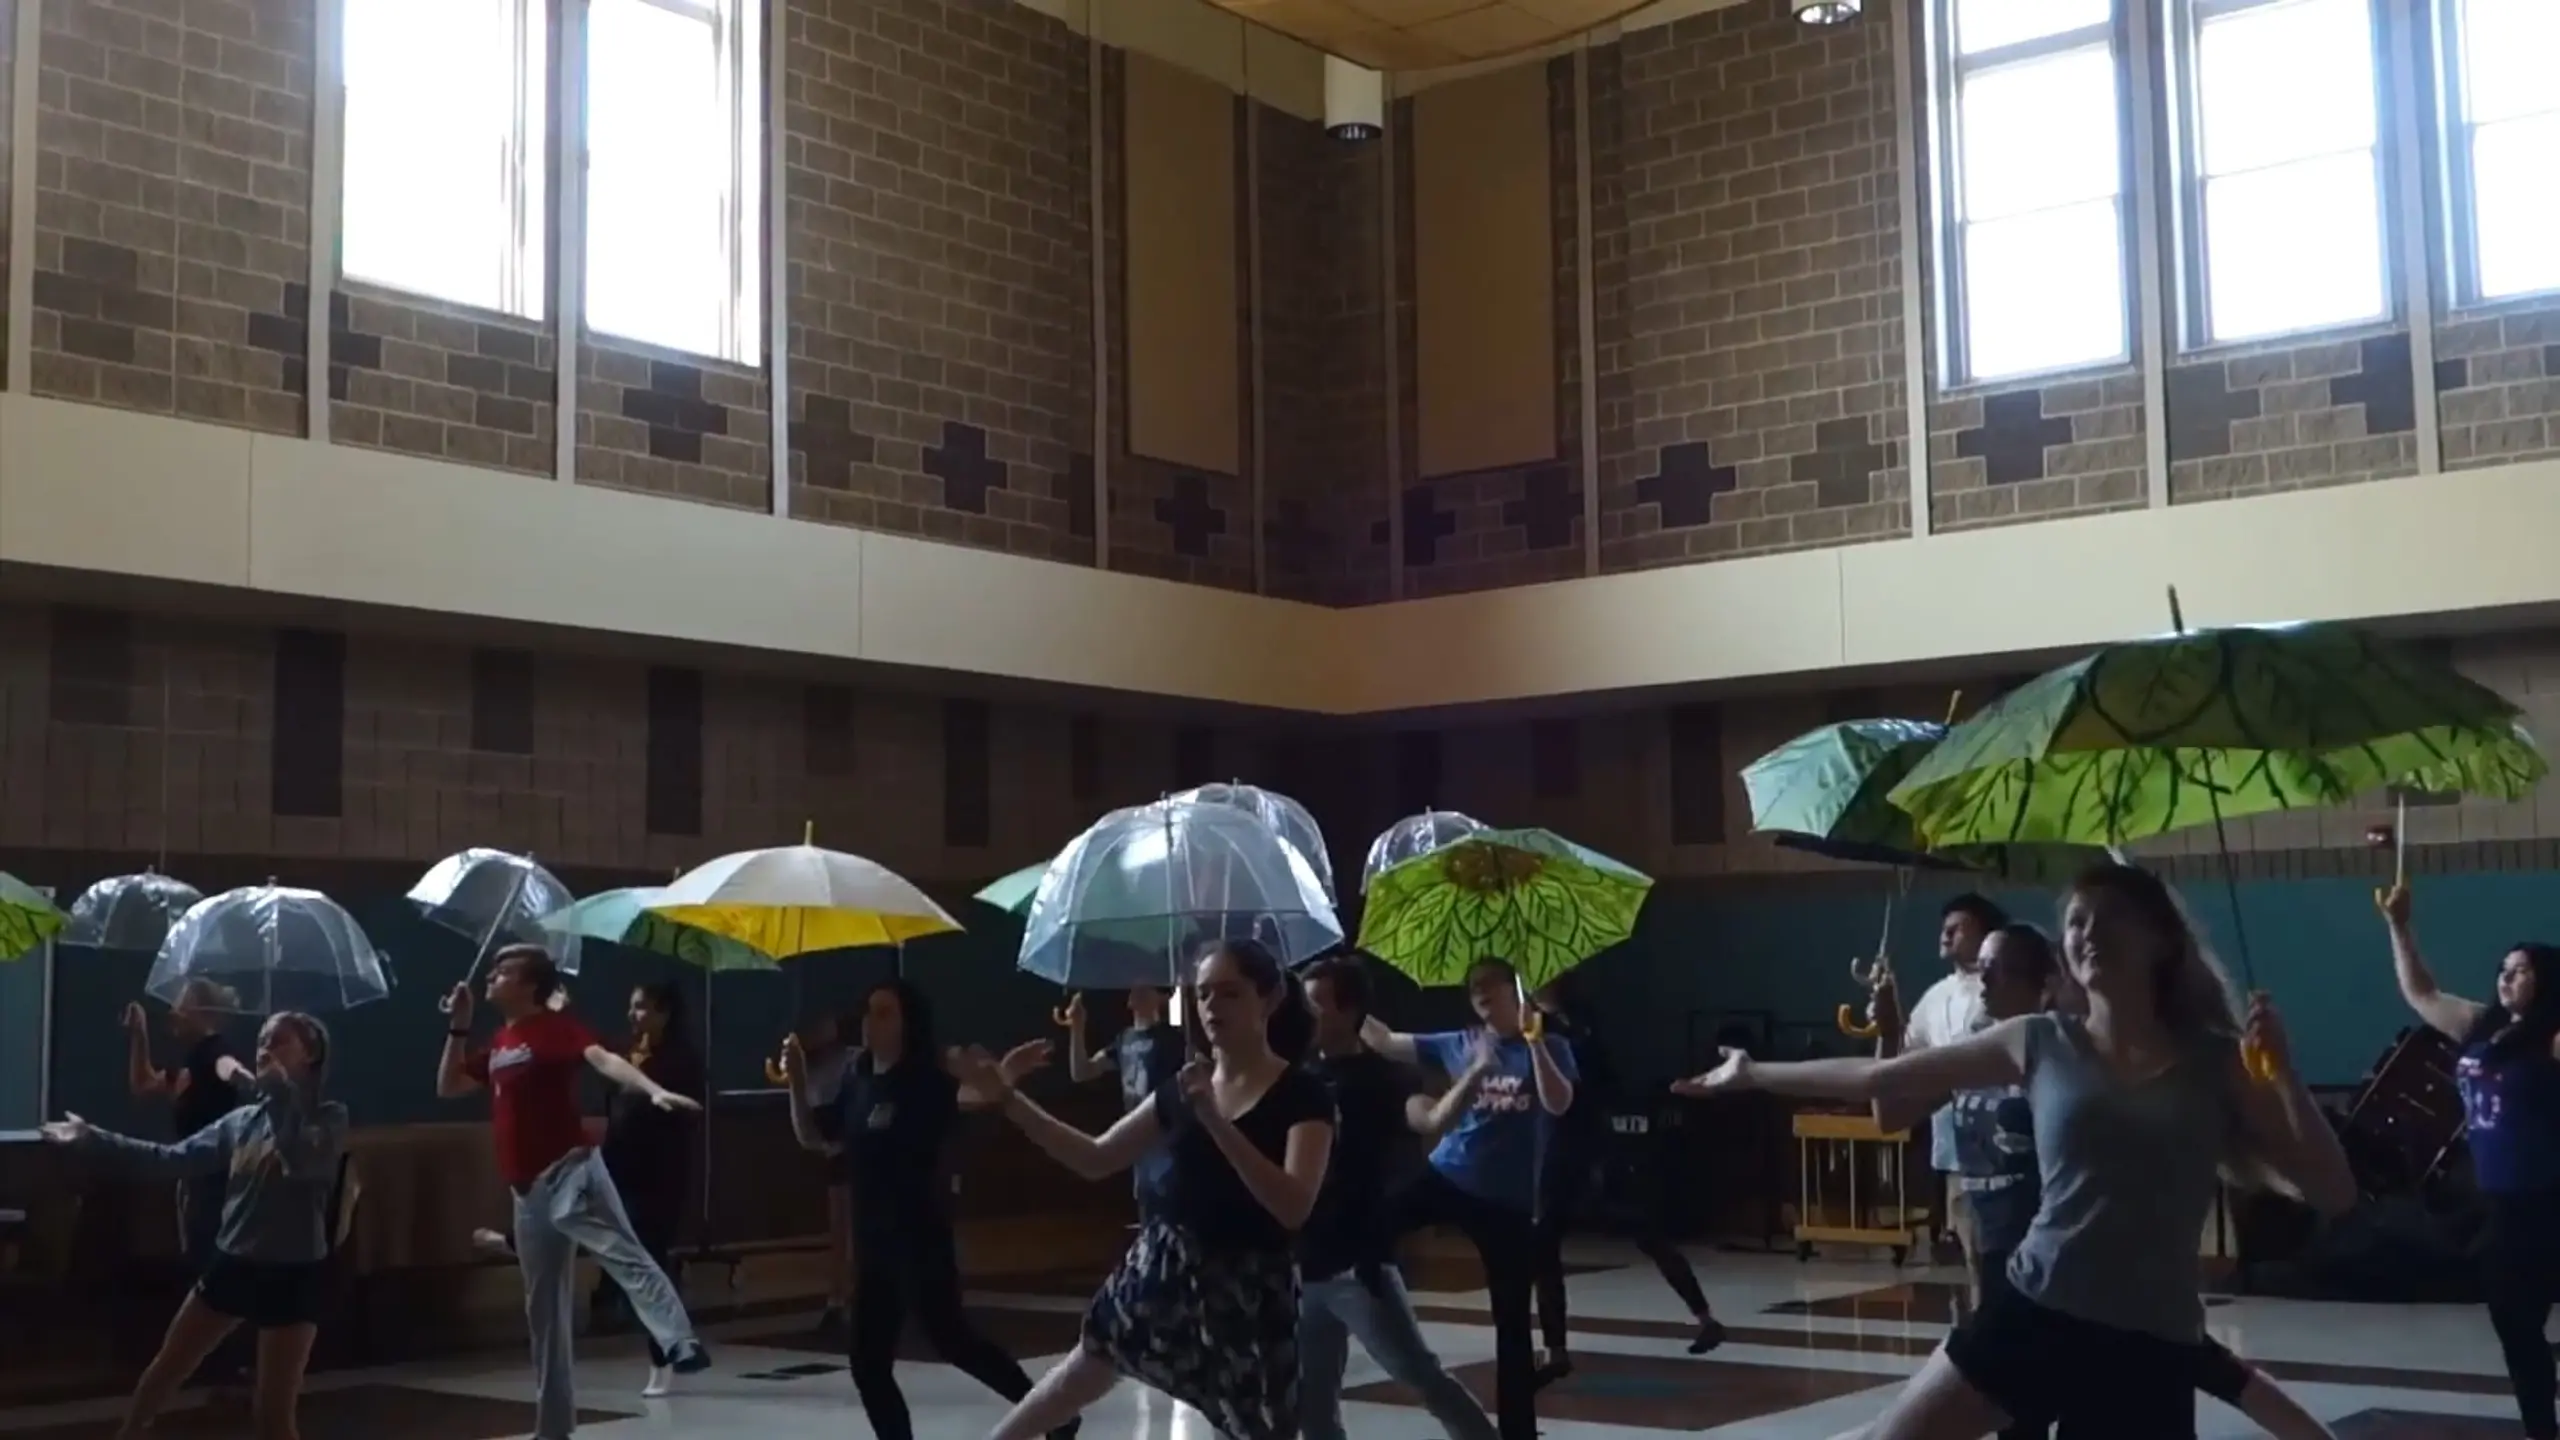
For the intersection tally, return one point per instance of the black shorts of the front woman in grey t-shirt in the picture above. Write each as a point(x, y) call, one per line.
point(2095, 1382)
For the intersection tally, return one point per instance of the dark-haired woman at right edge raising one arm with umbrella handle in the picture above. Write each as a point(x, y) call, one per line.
point(2510, 1077)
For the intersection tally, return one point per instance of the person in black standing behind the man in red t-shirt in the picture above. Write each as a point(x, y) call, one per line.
point(652, 1152)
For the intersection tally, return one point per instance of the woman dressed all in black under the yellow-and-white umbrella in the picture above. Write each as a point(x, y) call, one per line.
point(897, 1116)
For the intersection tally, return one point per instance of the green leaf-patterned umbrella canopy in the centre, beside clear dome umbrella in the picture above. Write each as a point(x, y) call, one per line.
point(1524, 896)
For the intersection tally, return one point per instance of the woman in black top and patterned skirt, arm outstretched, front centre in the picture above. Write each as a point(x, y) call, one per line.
point(1204, 1305)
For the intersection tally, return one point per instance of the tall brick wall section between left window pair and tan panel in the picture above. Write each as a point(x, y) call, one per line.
point(941, 258)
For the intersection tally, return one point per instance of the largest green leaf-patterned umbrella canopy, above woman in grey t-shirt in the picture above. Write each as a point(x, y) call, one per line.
point(2211, 726)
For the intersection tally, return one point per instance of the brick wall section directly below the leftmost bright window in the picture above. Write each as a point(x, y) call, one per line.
point(442, 380)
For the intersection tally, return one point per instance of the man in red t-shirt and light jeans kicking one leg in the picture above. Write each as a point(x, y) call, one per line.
point(562, 1195)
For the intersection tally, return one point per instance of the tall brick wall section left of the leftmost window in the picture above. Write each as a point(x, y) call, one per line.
point(173, 206)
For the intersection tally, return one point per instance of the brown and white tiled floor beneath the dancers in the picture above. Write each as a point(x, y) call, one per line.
point(1814, 1352)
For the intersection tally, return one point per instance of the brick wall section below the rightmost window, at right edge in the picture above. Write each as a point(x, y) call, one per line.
point(2500, 386)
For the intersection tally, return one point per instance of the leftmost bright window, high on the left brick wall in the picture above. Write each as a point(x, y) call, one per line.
point(444, 186)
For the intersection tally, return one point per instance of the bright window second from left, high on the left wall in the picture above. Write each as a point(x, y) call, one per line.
point(675, 176)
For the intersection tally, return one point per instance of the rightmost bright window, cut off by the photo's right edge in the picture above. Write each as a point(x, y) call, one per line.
point(2508, 132)
